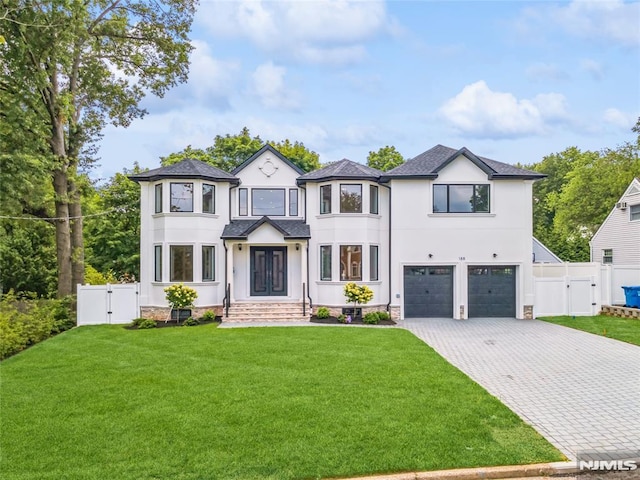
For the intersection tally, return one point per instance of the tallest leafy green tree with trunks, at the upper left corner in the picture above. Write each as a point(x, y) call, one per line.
point(68, 68)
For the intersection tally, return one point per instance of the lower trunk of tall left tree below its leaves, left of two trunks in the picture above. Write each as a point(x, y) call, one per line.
point(63, 233)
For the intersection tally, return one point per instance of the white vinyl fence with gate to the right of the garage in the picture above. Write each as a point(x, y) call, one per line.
point(580, 289)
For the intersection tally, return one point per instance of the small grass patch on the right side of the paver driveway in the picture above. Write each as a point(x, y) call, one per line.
point(625, 329)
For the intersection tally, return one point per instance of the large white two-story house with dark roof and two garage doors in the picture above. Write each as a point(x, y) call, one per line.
point(446, 234)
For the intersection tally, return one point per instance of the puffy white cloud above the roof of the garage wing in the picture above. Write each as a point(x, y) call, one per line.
point(479, 111)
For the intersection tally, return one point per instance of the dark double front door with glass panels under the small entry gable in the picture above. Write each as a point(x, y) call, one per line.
point(268, 271)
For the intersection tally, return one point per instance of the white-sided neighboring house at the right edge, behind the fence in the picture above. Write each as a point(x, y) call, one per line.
point(617, 241)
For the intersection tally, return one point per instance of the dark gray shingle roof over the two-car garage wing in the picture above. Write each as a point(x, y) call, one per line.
point(429, 163)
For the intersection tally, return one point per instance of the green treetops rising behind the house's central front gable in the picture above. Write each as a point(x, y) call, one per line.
point(229, 151)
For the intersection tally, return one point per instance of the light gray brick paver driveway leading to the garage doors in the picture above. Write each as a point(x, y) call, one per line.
point(581, 391)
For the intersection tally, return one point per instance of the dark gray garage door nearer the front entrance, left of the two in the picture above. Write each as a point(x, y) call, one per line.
point(428, 292)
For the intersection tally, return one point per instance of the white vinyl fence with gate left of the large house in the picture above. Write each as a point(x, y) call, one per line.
point(111, 303)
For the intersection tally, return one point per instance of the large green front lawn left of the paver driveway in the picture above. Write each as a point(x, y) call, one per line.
point(254, 403)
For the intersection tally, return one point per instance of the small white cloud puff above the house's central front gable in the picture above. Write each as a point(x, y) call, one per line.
point(267, 83)
